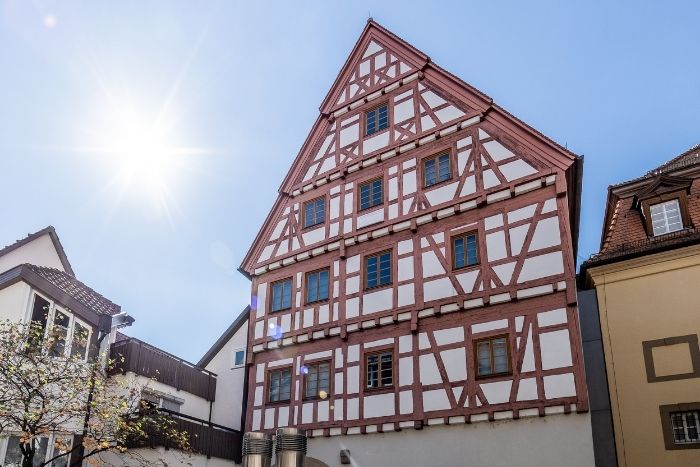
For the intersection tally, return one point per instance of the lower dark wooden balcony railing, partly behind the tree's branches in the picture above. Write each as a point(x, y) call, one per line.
point(205, 438)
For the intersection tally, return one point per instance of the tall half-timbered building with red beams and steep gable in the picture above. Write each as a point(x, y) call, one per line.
point(416, 276)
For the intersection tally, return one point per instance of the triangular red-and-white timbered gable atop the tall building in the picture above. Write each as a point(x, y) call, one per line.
point(429, 111)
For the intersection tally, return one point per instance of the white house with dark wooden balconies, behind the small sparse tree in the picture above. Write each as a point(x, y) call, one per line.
point(191, 394)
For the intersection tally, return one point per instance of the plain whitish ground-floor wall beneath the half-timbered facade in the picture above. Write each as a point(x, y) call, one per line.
point(557, 440)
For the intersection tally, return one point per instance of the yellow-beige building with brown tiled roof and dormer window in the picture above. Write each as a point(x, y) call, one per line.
point(645, 279)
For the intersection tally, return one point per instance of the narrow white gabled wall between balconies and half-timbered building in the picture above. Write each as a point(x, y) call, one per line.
point(229, 381)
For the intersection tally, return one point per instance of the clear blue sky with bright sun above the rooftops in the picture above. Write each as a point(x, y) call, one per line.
point(234, 87)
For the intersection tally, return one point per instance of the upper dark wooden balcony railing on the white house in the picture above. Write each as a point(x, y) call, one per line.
point(151, 362)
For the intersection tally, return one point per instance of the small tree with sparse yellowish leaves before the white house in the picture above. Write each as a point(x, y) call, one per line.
point(71, 400)
